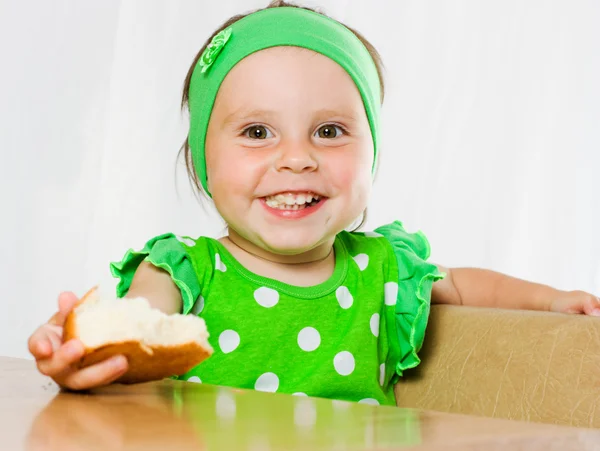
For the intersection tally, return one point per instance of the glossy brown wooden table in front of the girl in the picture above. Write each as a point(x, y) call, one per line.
point(171, 415)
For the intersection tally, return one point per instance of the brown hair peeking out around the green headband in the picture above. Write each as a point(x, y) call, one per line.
point(185, 148)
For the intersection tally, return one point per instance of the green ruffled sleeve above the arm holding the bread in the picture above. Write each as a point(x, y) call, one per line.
point(168, 252)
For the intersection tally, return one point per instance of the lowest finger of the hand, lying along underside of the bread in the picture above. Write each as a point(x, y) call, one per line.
point(96, 375)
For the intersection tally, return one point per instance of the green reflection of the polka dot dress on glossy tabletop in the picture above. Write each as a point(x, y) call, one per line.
point(227, 418)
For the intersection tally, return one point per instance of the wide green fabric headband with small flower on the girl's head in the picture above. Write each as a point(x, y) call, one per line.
point(273, 27)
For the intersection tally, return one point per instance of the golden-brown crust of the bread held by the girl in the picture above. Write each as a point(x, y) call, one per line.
point(146, 363)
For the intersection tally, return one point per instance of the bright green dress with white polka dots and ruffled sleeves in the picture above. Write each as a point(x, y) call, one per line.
point(349, 338)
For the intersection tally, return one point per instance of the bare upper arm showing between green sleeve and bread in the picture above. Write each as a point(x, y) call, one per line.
point(157, 286)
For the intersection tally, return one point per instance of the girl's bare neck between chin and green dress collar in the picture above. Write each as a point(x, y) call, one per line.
point(315, 255)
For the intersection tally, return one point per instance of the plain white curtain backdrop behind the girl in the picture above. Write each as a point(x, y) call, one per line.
point(491, 140)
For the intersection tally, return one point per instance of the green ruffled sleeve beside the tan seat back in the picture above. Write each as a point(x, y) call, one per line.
point(415, 278)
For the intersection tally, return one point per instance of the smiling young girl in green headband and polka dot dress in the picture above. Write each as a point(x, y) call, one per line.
point(284, 131)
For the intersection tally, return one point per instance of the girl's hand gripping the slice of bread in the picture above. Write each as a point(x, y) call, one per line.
point(57, 359)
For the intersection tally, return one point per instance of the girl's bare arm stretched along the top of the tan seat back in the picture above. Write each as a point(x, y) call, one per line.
point(484, 288)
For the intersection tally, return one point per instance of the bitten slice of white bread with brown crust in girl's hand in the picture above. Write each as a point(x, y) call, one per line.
point(155, 344)
